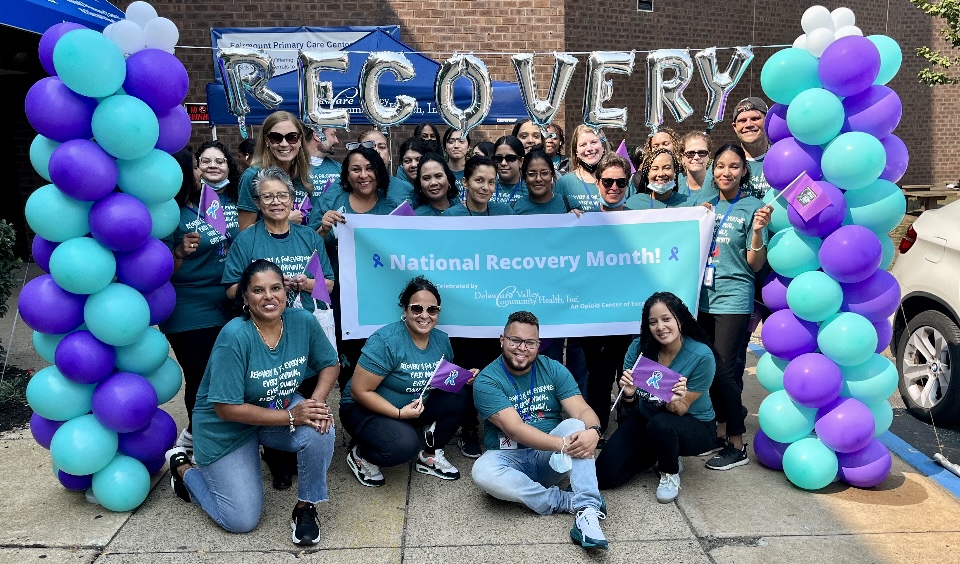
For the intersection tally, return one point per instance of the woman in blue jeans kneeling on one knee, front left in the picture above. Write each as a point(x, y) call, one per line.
point(248, 398)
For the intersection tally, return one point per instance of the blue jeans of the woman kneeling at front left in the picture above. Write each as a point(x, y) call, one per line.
point(231, 489)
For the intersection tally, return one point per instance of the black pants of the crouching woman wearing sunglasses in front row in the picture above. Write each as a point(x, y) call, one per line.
point(387, 442)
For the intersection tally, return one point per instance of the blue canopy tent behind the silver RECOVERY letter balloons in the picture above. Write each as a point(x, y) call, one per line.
point(507, 106)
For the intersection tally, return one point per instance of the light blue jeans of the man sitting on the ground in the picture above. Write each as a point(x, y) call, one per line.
point(525, 476)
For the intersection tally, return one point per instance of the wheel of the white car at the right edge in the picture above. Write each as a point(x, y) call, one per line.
point(928, 361)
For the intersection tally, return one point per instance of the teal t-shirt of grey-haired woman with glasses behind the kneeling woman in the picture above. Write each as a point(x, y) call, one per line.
point(290, 253)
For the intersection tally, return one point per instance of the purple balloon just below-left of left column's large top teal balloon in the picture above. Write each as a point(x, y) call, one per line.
point(58, 113)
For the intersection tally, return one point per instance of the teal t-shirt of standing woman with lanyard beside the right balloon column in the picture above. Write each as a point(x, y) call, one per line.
point(733, 285)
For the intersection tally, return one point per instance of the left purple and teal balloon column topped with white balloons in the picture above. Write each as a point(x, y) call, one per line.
point(104, 121)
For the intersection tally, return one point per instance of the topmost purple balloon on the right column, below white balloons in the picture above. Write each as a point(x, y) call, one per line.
point(849, 65)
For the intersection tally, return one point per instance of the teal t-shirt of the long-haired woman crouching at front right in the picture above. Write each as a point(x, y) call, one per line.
point(695, 361)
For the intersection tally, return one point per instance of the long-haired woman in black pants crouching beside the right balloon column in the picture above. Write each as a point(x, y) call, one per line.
point(653, 431)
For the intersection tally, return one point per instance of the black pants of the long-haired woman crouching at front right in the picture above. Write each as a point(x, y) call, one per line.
point(639, 442)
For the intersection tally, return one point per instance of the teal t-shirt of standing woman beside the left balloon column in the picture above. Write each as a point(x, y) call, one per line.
point(201, 297)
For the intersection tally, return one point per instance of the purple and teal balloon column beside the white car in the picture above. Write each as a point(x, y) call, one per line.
point(830, 291)
